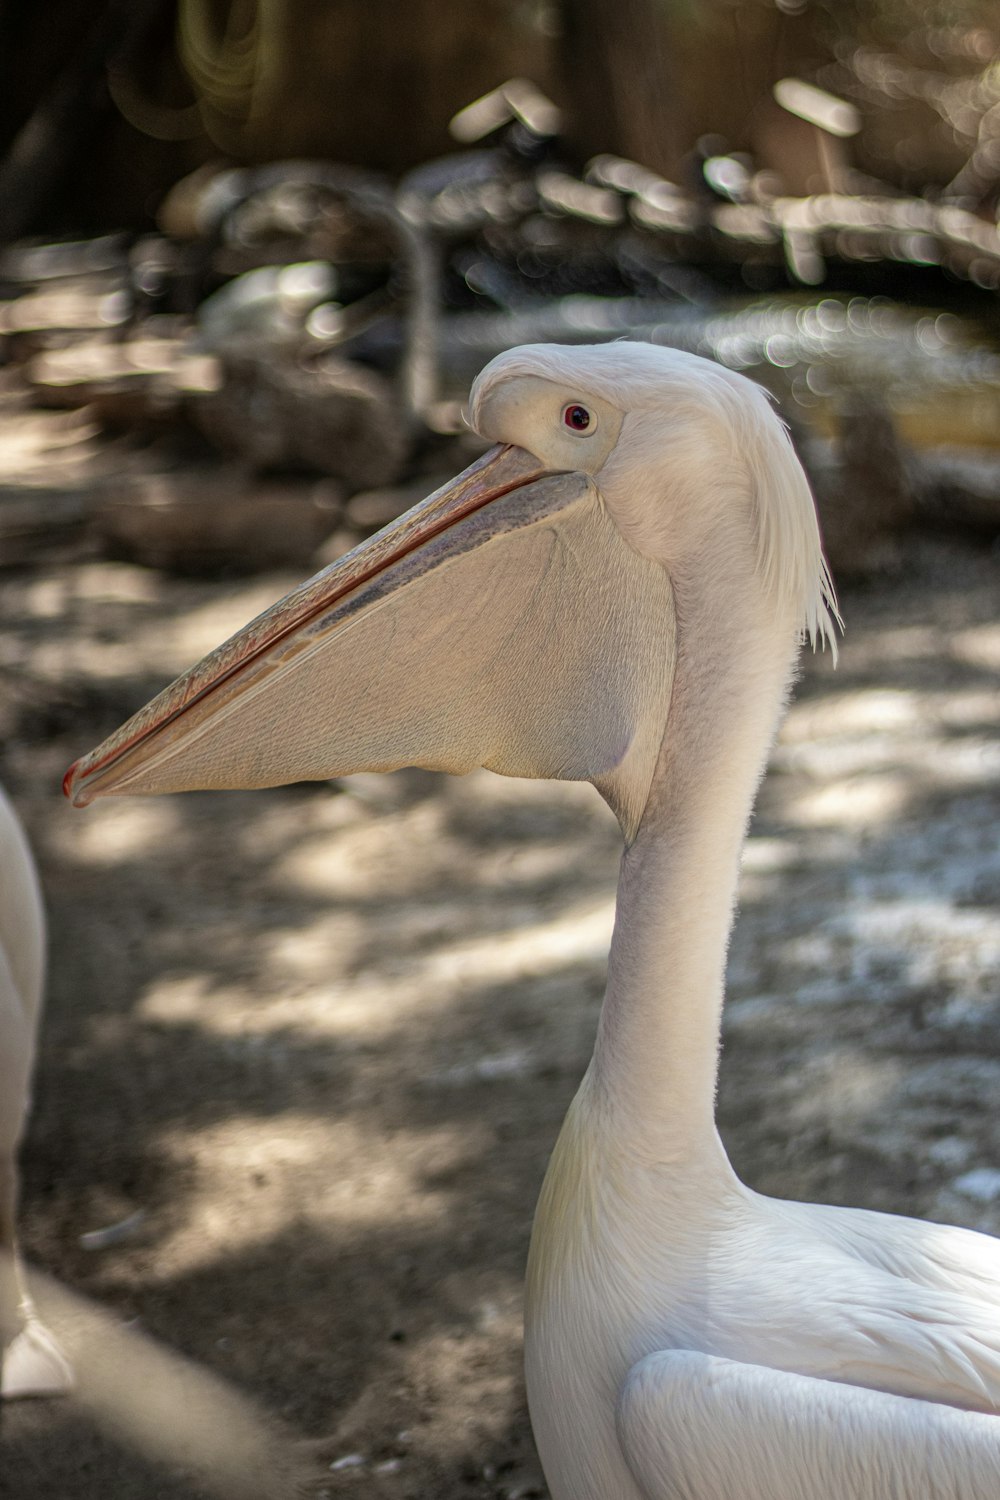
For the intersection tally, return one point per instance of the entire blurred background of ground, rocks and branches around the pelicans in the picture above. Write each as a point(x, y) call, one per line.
point(308, 1051)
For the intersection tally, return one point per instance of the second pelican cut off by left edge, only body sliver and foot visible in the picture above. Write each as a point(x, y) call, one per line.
point(31, 1361)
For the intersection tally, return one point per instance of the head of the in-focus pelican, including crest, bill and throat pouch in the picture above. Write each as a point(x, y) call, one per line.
point(528, 616)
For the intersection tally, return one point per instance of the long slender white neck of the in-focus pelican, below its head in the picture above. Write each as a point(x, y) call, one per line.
point(656, 1060)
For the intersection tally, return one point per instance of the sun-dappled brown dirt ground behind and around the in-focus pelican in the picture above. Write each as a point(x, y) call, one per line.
point(307, 1052)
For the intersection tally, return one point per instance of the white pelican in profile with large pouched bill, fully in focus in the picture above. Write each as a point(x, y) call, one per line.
point(617, 593)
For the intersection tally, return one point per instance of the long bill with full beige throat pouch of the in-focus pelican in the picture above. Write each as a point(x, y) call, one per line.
point(501, 623)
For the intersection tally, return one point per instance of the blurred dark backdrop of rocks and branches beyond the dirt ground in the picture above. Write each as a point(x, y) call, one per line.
point(329, 217)
